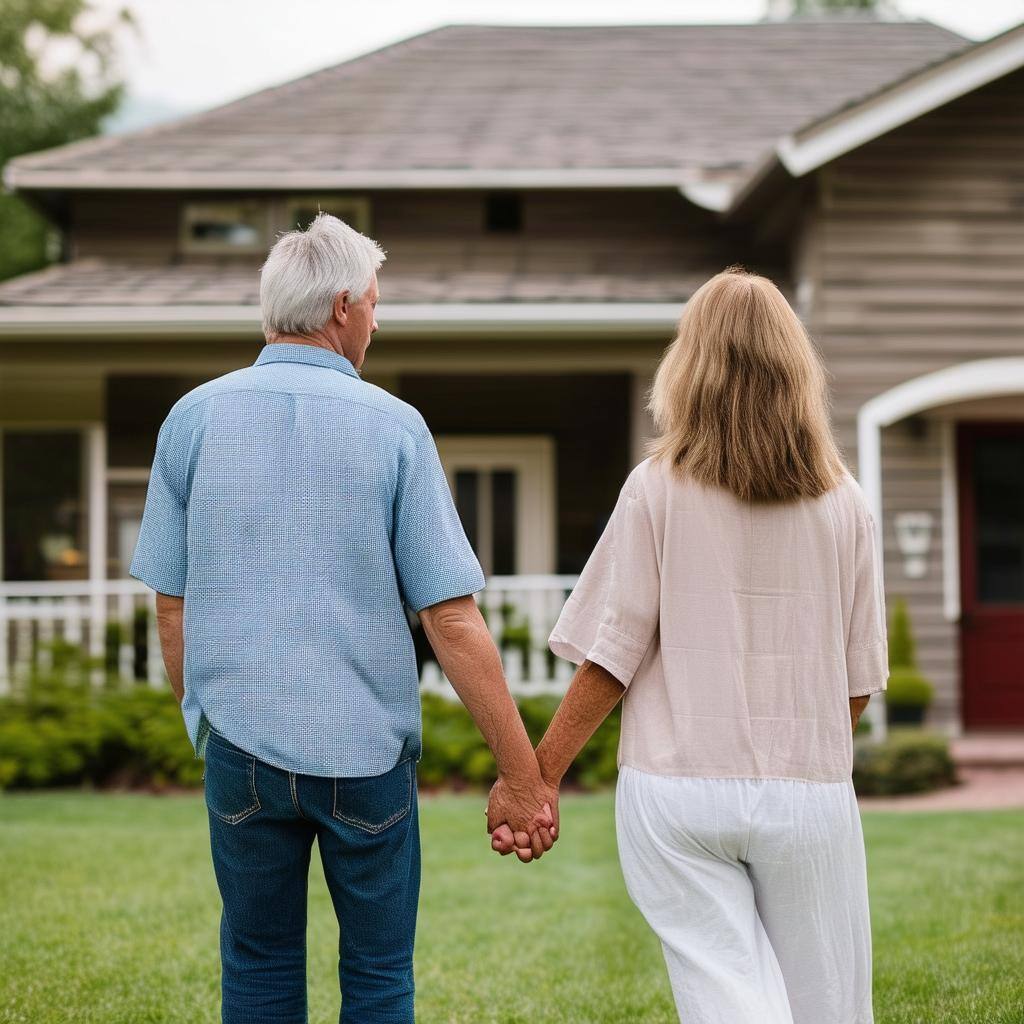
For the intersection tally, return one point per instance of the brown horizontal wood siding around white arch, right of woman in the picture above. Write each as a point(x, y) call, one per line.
point(915, 252)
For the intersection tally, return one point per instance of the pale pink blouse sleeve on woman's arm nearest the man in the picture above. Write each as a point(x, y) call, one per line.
point(613, 615)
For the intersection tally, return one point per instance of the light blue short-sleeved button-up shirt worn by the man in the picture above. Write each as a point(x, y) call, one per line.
point(297, 509)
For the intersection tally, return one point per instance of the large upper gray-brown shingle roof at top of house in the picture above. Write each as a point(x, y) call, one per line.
point(691, 100)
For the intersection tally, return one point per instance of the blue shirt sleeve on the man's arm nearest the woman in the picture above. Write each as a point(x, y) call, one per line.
point(434, 560)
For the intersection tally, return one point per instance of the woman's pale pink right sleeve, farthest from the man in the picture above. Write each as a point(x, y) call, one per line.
point(868, 648)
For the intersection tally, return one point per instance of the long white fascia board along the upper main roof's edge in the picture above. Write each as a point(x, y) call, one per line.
point(26, 177)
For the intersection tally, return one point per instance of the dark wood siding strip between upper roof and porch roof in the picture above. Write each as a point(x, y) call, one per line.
point(576, 233)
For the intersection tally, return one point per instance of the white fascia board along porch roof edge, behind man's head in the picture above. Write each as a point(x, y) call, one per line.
point(454, 319)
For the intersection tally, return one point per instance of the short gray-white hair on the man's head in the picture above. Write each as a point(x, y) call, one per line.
point(307, 270)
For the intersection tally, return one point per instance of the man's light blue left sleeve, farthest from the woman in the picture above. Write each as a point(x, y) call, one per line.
point(161, 560)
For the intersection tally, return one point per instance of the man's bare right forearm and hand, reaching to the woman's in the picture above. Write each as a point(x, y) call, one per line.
point(467, 654)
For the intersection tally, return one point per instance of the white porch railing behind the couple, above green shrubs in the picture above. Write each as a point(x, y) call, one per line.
point(115, 624)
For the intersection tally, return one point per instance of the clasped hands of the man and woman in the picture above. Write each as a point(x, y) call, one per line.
point(523, 817)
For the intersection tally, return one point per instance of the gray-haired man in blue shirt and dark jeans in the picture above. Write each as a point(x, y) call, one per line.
point(293, 514)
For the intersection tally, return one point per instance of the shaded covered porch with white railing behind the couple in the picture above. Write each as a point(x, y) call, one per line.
point(537, 434)
